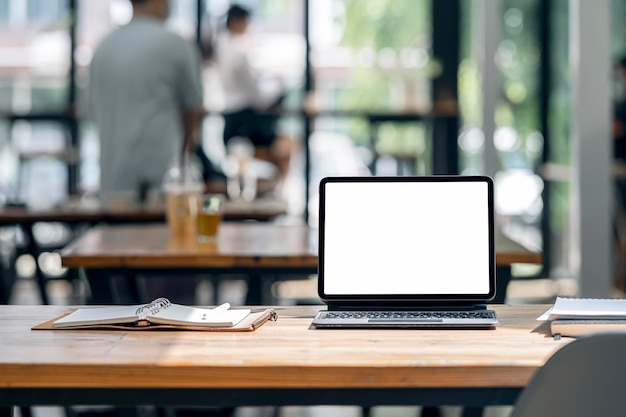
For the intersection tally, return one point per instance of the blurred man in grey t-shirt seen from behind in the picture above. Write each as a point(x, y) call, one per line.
point(145, 96)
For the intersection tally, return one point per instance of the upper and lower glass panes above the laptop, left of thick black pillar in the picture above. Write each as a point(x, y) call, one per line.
point(372, 67)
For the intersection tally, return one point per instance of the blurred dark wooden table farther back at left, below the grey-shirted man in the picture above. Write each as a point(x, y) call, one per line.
point(120, 212)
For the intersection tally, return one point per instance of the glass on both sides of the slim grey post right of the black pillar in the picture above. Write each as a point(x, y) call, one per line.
point(518, 138)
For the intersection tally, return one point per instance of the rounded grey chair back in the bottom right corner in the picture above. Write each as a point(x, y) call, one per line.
point(584, 378)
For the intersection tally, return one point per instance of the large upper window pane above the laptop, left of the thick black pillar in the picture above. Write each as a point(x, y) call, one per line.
point(372, 54)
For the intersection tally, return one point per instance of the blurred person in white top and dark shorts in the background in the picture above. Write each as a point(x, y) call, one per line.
point(247, 112)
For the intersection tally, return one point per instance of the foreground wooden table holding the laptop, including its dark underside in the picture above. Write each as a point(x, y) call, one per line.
point(282, 363)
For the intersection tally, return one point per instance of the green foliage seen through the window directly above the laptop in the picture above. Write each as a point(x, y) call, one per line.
point(384, 27)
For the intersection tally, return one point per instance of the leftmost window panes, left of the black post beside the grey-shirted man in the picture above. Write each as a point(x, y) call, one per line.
point(34, 65)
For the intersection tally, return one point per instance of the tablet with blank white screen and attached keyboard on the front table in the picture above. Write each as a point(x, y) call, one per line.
point(406, 252)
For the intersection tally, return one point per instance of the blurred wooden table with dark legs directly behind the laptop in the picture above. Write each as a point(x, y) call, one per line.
point(266, 248)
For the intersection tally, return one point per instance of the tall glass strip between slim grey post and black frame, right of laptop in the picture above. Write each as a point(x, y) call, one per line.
point(518, 137)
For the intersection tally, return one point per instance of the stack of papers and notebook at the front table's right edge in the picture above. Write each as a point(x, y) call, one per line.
point(580, 316)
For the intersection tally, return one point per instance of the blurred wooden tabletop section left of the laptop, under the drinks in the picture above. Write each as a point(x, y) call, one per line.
point(237, 245)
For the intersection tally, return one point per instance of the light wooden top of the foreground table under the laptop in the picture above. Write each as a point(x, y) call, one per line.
point(285, 353)
